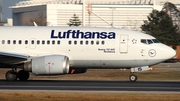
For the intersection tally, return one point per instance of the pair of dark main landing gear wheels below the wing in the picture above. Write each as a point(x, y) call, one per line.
point(13, 75)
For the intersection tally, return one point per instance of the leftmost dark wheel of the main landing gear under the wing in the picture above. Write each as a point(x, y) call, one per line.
point(11, 75)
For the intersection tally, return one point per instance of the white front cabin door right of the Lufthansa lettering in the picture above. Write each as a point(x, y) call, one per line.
point(123, 43)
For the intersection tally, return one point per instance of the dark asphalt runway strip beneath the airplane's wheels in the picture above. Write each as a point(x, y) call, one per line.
point(89, 85)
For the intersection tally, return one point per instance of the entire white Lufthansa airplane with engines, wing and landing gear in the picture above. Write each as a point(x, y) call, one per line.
point(72, 50)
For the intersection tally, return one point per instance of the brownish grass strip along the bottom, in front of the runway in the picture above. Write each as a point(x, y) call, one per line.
point(59, 96)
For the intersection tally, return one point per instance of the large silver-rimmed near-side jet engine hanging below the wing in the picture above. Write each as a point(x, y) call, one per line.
point(48, 65)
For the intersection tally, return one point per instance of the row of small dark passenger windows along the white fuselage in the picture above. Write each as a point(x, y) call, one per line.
point(52, 42)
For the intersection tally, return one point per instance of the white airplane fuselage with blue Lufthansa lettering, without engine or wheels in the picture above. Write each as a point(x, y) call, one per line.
point(108, 48)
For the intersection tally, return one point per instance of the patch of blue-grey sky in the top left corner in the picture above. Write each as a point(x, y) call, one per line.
point(7, 12)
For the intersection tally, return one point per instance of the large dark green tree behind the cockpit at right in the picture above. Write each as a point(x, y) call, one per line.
point(164, 24)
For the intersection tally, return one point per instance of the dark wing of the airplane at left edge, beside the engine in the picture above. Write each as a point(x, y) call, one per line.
point(12, 58)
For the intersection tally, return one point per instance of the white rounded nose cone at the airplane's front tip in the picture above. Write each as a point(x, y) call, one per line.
point(168, 52)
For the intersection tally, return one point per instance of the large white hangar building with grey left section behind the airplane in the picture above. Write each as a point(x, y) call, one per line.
point(102, 13)
